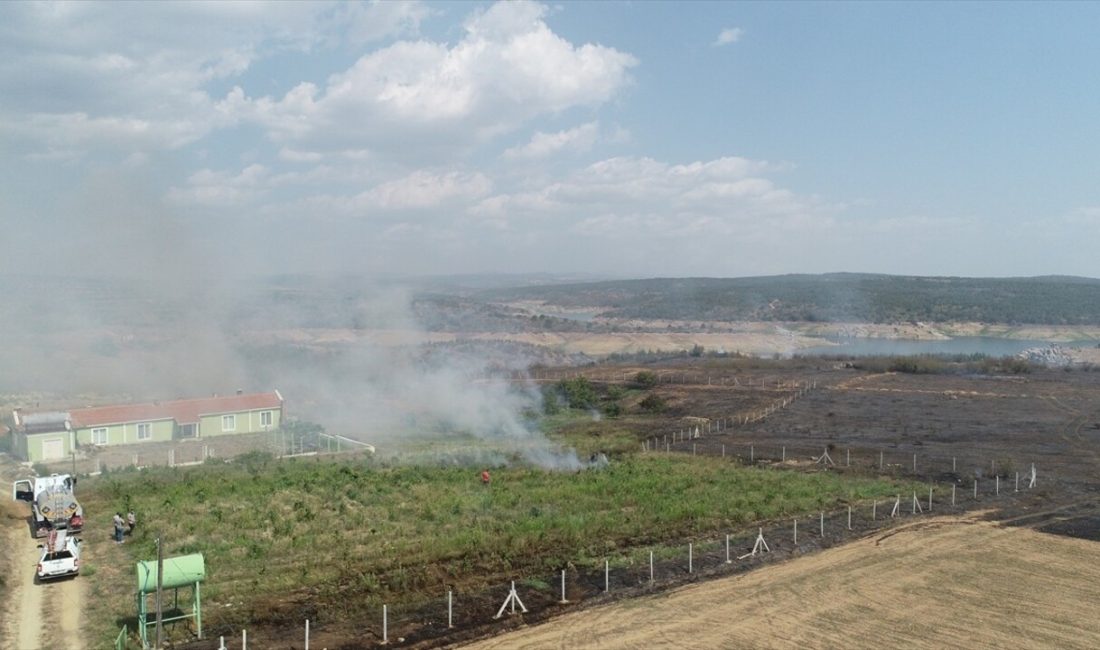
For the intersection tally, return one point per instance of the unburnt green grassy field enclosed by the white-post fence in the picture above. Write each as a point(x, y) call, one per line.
point(348, 536)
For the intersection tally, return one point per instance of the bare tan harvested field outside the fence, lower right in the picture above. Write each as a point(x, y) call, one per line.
point(950, 582)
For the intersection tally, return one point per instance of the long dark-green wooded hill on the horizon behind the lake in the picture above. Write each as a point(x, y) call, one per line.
point(832, 298)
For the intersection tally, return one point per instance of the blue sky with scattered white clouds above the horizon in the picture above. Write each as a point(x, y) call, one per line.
point(604, 139)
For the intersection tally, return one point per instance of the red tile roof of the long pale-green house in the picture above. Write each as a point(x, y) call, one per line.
point(184, 412)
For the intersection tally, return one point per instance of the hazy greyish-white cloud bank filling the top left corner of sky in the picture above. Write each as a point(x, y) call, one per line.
point(71, 81)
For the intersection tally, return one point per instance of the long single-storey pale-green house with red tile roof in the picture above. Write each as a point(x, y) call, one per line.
point(56, 435)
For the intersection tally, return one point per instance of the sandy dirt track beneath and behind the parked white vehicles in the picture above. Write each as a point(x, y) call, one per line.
point(38, 616)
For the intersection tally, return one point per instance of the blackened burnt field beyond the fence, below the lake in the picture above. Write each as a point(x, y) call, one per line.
point(961, 426)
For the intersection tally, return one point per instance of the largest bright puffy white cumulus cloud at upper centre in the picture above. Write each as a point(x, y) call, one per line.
point(509, 69)
